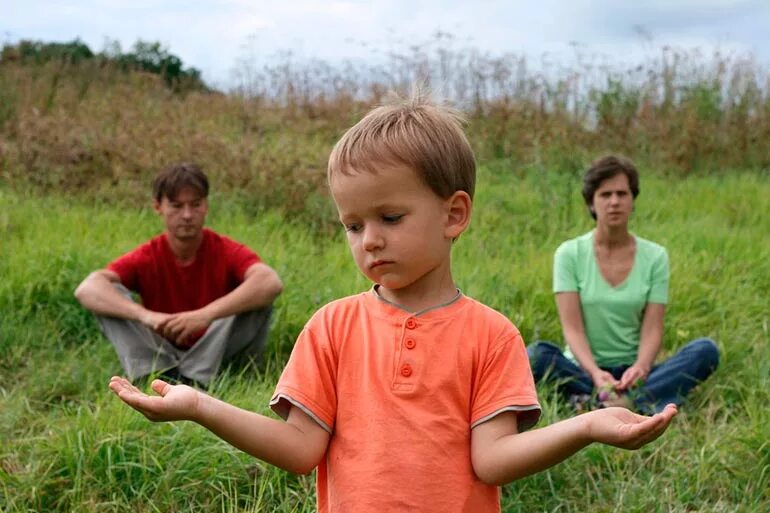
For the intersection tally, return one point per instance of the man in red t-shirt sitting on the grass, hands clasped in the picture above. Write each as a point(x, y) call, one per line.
point(206, 299)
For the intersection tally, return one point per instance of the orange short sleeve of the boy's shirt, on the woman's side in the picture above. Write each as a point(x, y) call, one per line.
point(504, 383)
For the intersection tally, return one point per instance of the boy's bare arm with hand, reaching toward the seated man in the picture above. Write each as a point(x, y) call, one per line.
point(297, 445)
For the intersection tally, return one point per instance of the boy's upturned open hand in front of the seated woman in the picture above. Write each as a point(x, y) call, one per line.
point(623, 428)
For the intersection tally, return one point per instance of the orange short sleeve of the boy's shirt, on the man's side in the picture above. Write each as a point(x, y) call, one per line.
point(308, 380)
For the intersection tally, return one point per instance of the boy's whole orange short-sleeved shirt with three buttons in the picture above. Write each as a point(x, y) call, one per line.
point(399, 394)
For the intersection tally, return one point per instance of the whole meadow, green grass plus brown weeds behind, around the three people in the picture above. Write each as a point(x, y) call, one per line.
point(79, 145)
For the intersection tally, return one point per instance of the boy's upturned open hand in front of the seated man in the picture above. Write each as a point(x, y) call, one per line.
point(174, 402)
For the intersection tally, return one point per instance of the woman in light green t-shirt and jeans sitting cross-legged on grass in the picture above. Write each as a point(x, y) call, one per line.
point(611, 291)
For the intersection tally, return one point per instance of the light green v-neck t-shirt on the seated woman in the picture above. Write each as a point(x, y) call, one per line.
point(612, 316)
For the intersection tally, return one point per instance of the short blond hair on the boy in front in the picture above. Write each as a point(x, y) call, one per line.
point(415, 133)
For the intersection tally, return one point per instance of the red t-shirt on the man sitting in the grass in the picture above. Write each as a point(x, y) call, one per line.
point(168, 286)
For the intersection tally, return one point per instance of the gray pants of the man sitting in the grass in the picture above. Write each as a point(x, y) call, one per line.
point(143, 351)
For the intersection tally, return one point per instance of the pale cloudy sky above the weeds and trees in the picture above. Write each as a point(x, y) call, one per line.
point(212, 35)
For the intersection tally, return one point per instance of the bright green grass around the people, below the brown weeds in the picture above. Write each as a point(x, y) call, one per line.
point(66, 444)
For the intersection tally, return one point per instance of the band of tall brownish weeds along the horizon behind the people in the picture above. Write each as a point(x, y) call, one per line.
point(83, 127)
